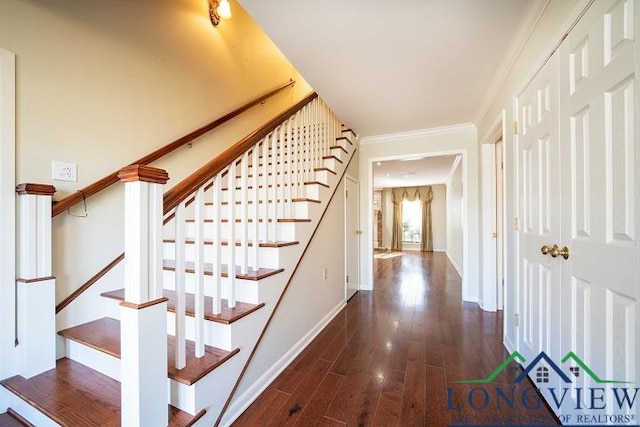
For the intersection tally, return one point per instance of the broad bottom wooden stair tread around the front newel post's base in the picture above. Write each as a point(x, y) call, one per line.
point(73, 395)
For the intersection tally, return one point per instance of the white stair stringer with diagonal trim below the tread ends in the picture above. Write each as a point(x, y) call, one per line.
point(214, 391)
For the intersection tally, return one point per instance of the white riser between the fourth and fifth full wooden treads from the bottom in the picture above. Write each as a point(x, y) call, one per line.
point(267, 257)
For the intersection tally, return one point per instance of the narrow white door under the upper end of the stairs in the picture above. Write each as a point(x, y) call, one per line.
point(352, 236)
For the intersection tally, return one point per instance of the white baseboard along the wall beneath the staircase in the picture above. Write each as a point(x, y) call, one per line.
point(240, 404)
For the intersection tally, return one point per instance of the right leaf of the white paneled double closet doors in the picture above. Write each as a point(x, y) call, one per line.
point(600, 193)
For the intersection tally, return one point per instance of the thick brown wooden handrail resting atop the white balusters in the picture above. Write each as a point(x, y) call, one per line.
point(190, 184)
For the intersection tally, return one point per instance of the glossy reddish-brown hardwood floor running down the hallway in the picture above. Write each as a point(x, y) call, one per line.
point(392, 358)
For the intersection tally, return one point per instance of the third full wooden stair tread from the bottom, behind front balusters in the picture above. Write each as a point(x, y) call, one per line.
point(226, 316)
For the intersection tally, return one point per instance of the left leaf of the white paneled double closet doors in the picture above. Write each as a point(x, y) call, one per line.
point(538, 214)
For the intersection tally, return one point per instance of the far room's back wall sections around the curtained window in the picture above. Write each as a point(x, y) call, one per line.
point(438, 218)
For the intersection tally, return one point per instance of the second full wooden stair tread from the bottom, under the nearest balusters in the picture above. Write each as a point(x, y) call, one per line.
point(104, 335)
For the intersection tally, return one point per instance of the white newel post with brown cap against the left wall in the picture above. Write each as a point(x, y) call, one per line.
point(35, 284)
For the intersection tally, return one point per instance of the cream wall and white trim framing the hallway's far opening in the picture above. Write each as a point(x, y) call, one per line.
point(450, 140)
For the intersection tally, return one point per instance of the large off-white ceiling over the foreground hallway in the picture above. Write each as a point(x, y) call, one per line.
point(395, 66)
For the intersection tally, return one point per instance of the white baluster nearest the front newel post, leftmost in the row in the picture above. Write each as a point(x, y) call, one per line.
point(180, 311)
